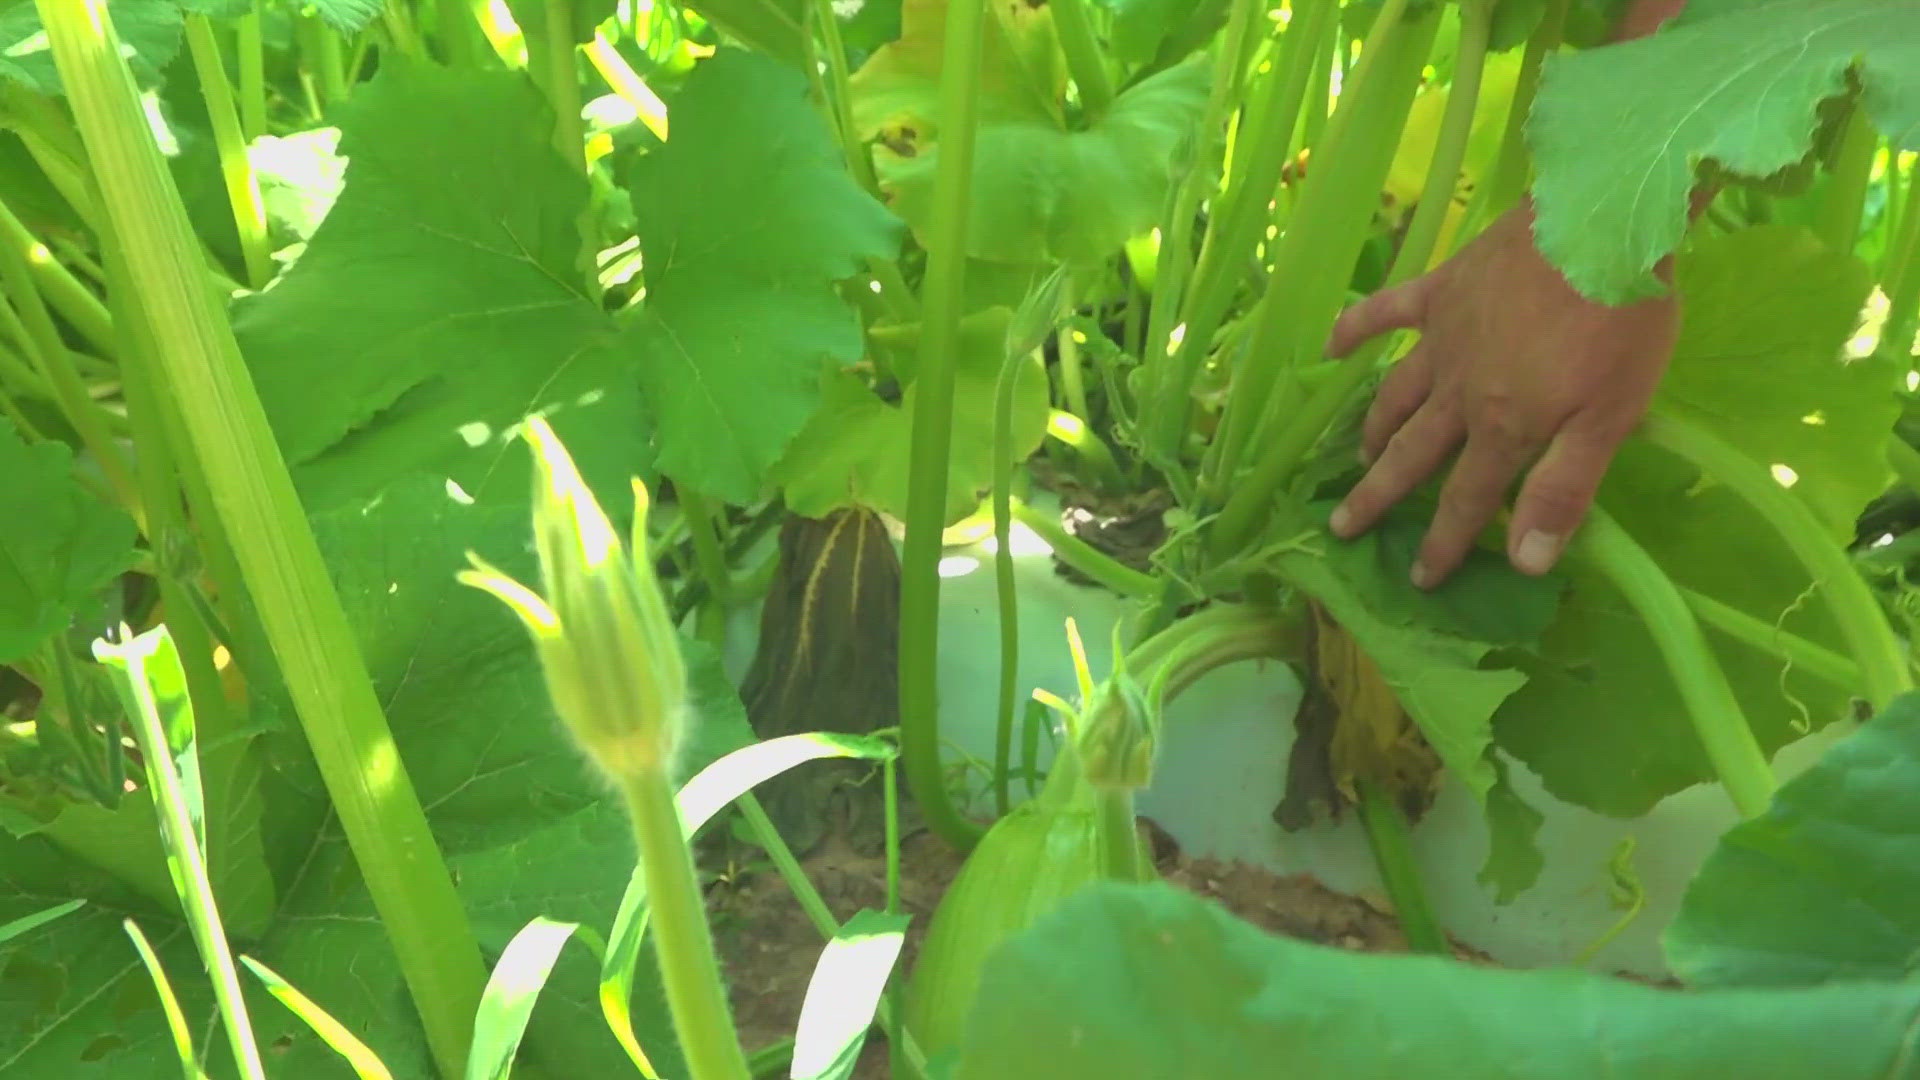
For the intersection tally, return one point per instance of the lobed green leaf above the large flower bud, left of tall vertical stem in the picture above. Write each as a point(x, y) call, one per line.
point(746, 220)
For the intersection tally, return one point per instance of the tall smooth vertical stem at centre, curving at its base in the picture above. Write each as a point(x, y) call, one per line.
point(932, 437)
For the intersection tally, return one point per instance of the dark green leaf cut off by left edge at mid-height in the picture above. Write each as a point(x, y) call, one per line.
point(60, 545)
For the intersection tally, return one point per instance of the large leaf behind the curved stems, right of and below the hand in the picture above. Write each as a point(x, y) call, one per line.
point(1760, 349)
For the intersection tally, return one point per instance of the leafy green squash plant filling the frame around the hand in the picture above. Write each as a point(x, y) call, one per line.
point(285, 283)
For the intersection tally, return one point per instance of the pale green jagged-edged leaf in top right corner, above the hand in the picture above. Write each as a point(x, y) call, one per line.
point(1618, 132)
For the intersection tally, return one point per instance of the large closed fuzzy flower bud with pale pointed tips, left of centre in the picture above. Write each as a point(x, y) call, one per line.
point(606, 641)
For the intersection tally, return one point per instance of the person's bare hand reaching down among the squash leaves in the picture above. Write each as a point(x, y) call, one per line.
point(1520, 372)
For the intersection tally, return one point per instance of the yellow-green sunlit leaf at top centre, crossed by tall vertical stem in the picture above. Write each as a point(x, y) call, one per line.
point(1042, 189)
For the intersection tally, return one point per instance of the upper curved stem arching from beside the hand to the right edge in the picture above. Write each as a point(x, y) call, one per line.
point(1856, 612)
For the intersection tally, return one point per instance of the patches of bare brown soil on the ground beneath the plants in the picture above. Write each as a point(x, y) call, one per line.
point(769, 948)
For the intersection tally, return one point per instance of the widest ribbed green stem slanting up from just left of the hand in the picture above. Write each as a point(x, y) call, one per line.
point(1312, 270)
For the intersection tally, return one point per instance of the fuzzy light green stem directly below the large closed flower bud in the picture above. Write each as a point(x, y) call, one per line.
point(684, 943)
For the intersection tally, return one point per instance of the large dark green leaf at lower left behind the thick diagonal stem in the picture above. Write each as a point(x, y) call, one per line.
point(527, 829)
